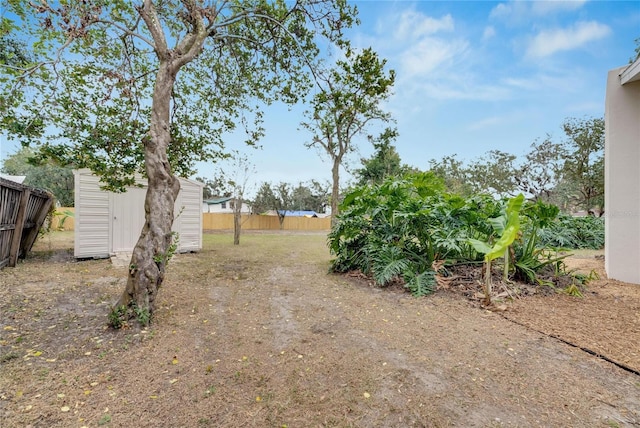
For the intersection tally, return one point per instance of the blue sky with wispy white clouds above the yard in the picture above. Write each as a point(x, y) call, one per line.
point(471, 76)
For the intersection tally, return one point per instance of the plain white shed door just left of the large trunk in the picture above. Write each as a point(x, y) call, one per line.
point(128, 219)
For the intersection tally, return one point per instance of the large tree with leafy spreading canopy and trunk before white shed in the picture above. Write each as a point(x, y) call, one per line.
point(152, 86)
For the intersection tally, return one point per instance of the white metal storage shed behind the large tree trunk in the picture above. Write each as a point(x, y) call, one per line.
point(107, 223)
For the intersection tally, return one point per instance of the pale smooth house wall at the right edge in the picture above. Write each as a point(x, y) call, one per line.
point(622, 174)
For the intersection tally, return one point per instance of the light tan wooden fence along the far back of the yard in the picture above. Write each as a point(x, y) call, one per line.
point(63, 220)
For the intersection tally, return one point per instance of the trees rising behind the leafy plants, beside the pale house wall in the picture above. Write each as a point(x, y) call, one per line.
point(568, 173)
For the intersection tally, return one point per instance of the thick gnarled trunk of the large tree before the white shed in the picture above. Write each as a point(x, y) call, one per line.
point(151, 253)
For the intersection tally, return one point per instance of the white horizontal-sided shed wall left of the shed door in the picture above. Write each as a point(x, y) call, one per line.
point(92, 226)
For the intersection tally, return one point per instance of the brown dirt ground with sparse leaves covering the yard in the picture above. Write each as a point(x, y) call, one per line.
point(260, 335)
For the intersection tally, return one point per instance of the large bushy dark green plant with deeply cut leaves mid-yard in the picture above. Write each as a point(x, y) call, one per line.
point(395, 230)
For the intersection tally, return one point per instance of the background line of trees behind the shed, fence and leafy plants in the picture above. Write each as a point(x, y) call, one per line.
point(568, 173)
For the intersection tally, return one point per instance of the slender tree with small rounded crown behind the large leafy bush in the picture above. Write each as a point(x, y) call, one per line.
point(348, 99)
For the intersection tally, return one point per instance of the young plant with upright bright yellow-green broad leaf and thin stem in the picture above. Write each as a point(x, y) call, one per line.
point(506, 227)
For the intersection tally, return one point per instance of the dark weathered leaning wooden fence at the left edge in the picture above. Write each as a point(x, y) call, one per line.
point(23, 210)
